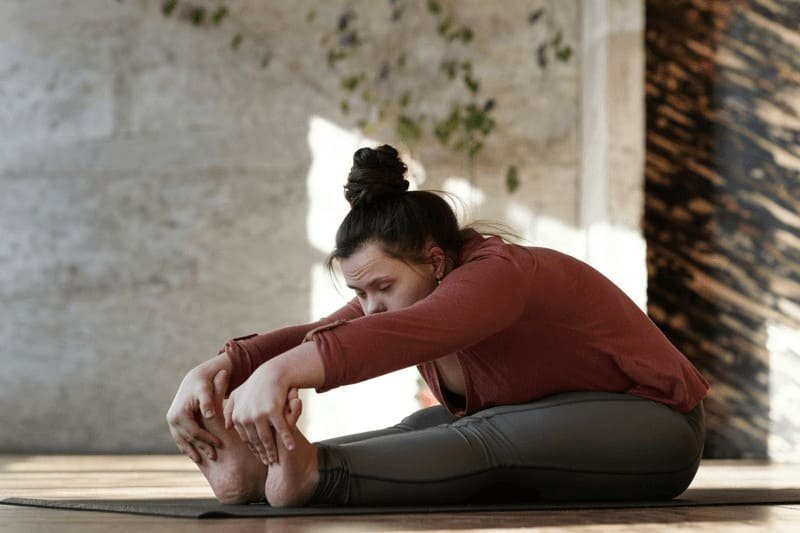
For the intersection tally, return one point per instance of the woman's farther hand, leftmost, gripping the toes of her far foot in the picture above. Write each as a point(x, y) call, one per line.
point(200, 391)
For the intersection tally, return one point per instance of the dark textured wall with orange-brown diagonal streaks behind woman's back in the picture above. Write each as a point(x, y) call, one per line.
point(723, 196)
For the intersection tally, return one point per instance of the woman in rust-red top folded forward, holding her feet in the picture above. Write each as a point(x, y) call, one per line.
point(553, 384)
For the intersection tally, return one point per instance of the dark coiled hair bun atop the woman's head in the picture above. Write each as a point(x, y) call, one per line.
point(376, 172)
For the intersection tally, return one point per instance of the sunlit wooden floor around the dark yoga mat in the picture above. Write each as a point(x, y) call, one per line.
point(156, 476)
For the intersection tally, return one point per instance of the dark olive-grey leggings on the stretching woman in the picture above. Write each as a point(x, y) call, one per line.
point(568, 446)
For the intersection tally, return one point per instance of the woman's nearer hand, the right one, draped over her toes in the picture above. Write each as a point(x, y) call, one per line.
point(255, 408)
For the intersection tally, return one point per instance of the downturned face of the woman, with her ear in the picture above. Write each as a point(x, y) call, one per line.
point(383, 283)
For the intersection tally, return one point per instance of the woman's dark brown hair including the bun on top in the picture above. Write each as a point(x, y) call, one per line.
point(382, 210)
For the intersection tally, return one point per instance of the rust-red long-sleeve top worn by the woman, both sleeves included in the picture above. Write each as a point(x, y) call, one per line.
point(524, 322)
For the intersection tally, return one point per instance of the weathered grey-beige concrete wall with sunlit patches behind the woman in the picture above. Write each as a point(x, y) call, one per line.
point(161, 192)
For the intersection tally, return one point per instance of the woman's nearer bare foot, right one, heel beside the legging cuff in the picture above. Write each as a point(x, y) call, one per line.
point(292, 482)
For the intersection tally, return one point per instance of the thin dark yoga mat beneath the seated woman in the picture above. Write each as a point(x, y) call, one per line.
point(211, 508)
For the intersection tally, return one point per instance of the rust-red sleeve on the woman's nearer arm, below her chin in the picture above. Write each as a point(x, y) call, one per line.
point(476, 300)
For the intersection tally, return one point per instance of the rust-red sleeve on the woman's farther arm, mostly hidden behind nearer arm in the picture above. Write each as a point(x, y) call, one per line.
point(250, 351)
